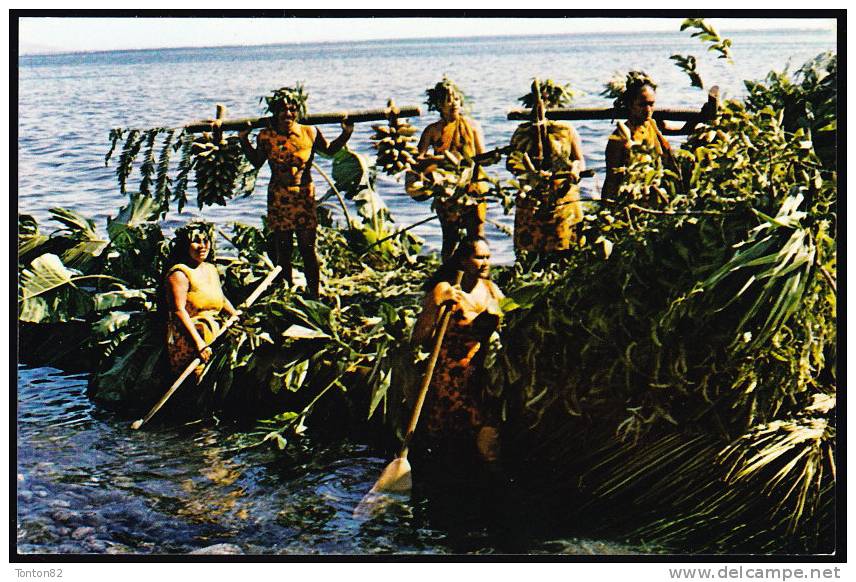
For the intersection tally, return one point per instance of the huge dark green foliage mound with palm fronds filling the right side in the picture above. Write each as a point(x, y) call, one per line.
point(681, 364)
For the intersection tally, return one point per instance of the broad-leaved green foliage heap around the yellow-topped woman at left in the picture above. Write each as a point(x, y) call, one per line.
point(287, 356)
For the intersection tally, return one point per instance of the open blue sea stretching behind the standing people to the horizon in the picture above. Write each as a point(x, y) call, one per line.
point(82, 96)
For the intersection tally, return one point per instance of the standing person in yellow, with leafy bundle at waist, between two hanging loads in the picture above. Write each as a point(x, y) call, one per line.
point(455, 138)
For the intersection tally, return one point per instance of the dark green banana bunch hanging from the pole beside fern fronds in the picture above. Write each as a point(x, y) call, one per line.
point(222, 171)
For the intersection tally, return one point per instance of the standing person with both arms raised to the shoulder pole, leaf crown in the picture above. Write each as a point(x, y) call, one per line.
point(289, 148)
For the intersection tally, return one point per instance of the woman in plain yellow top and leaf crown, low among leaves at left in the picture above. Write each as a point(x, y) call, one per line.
point(193, 295)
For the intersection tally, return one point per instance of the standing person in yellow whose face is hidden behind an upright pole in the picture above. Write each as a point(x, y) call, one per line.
point(547, 159)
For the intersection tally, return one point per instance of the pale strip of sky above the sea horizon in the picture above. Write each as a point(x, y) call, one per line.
point(93, 34)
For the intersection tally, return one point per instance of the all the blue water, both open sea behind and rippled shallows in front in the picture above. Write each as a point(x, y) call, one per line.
point(86, 483)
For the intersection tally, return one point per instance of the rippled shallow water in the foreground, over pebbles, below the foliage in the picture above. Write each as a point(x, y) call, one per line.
point(87, 483)
